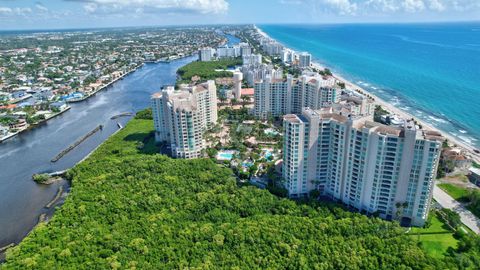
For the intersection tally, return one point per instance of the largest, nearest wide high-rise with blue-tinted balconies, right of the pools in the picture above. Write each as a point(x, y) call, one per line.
point(373, 168)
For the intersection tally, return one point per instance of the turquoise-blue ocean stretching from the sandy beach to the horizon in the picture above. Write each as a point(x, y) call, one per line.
point(429, 70)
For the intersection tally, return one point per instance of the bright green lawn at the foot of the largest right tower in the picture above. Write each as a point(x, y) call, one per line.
point(435, 239)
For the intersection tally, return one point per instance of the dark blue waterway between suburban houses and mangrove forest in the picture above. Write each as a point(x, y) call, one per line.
point(21, 199)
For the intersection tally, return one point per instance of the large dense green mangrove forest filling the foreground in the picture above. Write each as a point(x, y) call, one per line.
point(132, 208)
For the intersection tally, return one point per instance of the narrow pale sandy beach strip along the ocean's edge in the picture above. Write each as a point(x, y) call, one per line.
point(470, 150)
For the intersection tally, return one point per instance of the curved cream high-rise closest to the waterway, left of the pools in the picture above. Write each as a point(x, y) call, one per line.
point(181, 117)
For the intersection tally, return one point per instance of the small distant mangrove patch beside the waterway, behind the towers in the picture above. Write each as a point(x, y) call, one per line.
point(206, 70)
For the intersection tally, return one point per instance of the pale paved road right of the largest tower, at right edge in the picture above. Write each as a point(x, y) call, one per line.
point(446, 201)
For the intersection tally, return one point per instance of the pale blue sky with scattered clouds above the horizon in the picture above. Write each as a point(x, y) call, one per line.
point(62, 14)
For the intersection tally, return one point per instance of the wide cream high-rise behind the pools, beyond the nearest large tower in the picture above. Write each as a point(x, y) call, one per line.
point(277, 97)
